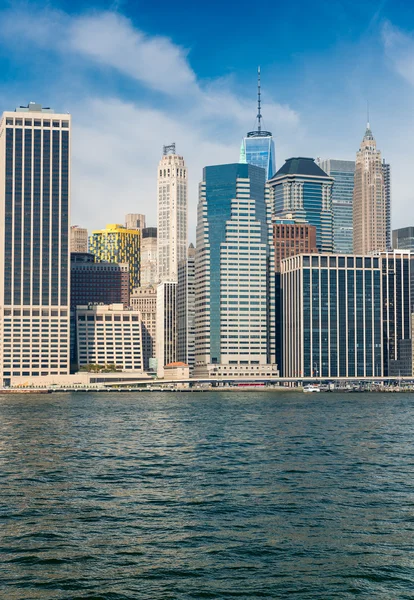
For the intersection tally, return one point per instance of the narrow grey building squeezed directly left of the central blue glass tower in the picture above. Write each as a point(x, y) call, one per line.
point(186, 309)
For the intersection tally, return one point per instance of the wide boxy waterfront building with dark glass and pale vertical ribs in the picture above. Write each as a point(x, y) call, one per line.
point(336, 305)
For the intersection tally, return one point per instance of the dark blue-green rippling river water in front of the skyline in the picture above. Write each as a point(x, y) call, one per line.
point(207, 495)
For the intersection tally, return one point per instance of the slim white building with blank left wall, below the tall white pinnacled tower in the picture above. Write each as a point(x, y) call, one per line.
point(166, 328)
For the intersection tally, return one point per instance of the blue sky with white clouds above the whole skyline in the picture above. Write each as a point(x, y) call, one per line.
point(137, 75)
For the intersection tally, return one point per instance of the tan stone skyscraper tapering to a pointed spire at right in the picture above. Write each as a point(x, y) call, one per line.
point(369, 199)
